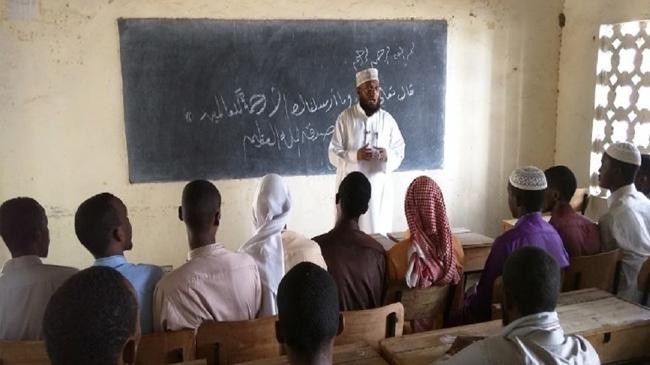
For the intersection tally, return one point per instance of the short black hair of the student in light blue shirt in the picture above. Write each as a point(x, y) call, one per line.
point(95, 220)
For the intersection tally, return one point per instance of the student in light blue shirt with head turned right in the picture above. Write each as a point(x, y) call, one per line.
point(102, 226)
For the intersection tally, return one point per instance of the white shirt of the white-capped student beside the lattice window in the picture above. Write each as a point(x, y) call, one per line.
point(627, 225)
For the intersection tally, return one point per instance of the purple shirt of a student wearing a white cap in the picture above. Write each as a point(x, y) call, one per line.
point(530, 230)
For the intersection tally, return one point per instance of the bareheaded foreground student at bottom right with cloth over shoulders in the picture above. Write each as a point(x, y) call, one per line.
point(532, 332)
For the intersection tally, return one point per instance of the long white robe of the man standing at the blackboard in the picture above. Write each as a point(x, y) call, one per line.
point(354, 130)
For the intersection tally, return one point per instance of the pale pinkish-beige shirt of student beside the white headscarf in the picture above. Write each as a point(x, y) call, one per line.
point(215, 284)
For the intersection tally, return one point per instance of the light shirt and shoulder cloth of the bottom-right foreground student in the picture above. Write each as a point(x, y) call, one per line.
point(532, 340)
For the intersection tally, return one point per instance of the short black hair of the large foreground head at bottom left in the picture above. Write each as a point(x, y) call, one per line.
point(90, 318)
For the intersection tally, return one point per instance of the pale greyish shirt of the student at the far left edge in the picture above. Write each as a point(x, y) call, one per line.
point(26, 285)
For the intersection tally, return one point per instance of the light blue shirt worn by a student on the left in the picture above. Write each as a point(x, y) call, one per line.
point(144, 278)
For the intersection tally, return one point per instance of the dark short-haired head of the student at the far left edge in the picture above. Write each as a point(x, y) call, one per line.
point(23, 227)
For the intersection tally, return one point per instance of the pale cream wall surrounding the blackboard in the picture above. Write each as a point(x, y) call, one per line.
point(62, 129)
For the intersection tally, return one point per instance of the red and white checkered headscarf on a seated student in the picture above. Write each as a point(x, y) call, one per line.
point(433, 262)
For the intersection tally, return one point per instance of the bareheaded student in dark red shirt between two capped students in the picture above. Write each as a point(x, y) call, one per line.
point(579, 234)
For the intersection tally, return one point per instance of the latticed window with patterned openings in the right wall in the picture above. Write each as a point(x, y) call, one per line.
point(622, 98)
